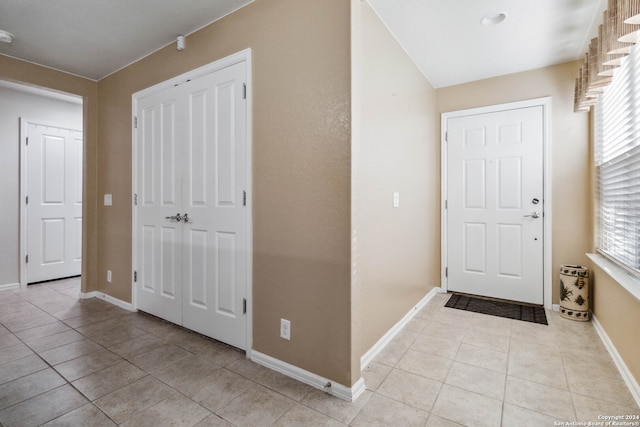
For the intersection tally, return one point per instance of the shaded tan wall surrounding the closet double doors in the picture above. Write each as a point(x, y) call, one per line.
point(301, 171)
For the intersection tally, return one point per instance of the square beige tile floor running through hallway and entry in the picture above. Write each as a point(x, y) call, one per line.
point(68, 362)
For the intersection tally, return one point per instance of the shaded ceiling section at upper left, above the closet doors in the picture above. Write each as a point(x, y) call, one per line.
point(94, 38)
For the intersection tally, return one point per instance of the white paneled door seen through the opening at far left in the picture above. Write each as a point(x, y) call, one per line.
point(54, 208)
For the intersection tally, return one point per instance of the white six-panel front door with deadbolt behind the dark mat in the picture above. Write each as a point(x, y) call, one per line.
point(495, 204)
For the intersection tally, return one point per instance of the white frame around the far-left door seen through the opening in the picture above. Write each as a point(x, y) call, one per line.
point(24, 123)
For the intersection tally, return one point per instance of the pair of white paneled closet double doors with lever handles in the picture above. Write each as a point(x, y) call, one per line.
point(191, 215)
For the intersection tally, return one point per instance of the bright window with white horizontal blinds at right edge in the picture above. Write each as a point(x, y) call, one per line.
point(617, 144)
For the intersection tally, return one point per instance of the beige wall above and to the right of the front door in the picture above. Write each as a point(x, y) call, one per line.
point(570, 171)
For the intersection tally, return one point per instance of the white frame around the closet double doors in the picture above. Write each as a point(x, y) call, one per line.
point(239, 57)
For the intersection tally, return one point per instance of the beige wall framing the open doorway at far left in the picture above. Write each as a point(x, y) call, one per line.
point(34, 75)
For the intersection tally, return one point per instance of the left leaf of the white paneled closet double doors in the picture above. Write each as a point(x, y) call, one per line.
point(161, 124)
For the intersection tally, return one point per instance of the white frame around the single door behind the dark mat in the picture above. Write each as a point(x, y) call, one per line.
point(545, 103)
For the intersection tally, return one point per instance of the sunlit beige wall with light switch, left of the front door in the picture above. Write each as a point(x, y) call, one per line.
point(396, 251)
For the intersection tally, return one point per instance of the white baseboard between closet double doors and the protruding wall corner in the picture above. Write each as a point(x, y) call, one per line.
point(349, 394)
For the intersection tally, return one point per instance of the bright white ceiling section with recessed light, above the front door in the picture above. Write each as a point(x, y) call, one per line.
point(450, 46)
